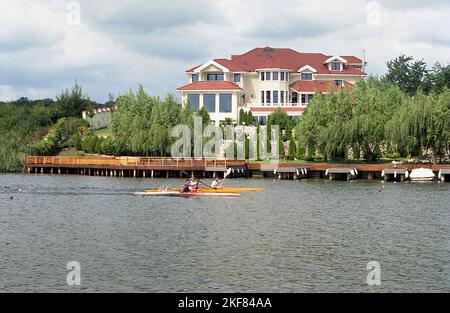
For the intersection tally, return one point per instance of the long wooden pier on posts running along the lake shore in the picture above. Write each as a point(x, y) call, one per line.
point(211, 167)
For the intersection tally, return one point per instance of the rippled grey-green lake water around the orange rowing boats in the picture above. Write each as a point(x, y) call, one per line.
point(296, 236)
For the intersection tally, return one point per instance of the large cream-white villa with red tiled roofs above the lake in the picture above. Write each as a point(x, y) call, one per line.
point(264, 79)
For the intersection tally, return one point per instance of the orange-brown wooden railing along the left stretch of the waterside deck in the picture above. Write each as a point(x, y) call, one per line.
point(130, 161)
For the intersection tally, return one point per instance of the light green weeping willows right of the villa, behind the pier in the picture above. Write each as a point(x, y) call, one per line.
point(375, 120)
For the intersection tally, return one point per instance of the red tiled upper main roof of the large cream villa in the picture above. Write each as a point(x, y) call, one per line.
point(284, 58)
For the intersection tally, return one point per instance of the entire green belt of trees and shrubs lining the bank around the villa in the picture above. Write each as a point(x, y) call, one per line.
point(404, 113)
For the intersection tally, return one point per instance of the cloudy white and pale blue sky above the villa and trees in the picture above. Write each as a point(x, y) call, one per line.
point(112, 46)
